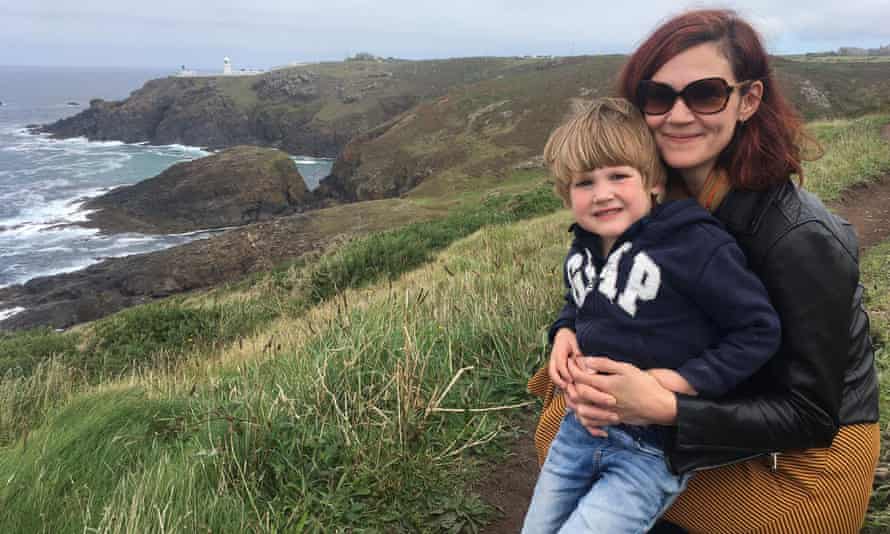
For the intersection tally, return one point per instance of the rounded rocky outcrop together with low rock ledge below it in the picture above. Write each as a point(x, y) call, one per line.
point(256, 193)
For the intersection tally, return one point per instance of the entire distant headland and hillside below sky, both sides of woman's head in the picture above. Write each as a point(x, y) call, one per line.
point(425, 127)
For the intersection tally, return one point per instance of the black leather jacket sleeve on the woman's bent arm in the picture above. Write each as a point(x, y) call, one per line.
point(811, 278)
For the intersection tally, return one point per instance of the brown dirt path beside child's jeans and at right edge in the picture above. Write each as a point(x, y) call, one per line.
point(509, 486)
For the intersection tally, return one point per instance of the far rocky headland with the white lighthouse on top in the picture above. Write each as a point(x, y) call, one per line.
point(312, 109)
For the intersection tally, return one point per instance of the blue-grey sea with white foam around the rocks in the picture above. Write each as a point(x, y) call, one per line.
point(44, 182)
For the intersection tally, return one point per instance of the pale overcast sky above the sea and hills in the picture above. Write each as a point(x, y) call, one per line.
point(264, 33)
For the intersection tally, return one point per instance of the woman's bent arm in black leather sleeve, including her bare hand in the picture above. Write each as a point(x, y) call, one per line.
point(812, 281)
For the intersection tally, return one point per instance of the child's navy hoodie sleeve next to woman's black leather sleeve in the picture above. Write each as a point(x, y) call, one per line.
point(734, 298)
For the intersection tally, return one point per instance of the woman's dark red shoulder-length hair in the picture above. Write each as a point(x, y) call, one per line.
point(765, 150)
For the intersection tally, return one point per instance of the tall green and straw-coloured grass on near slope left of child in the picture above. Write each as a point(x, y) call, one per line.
point(370, 423)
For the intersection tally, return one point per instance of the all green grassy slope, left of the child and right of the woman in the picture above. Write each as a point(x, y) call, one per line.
point(362, 390)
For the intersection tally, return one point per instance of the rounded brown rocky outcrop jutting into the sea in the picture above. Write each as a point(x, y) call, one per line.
point(237, 186)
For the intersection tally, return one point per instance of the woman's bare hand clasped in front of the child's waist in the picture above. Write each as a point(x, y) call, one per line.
point(637, 397)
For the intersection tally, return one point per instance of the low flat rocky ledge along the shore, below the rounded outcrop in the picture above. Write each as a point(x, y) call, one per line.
point(63, 300)
